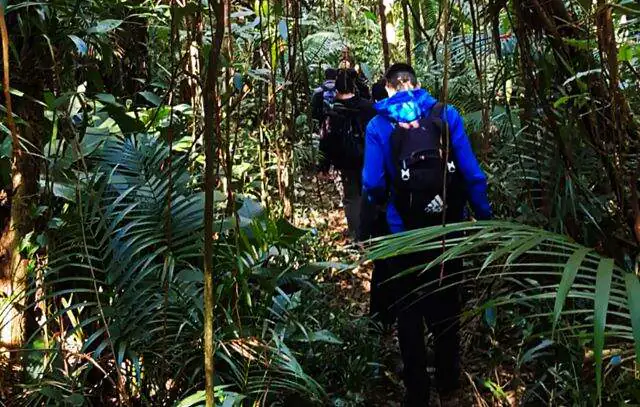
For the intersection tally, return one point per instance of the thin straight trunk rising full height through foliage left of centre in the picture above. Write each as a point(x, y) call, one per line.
point(211, 136)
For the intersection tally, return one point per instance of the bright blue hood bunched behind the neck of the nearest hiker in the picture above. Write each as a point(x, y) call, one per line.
point(405, 106)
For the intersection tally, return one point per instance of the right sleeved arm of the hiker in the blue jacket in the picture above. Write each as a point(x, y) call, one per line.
point(474, 177)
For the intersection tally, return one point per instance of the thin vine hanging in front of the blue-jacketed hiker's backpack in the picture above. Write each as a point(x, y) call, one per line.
point(443, 98)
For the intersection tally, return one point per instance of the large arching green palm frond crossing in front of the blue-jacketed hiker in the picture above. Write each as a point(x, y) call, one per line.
point(581, 287)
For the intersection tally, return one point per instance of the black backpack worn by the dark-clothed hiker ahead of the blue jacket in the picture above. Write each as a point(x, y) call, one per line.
point(345, 136)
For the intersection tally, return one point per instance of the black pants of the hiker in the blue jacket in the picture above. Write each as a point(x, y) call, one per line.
point(439, 308)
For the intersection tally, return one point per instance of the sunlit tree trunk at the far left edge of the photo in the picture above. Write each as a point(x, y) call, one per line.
point(25, 170)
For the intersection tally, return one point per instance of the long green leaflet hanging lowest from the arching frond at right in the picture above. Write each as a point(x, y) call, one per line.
point(603, 290)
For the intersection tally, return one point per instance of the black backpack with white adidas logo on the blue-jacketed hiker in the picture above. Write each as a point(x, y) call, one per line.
point(419, 154)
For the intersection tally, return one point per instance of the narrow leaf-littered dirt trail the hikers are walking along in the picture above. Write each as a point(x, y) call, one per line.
point(318, 206)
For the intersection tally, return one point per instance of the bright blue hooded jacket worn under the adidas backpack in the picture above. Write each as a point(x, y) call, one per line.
point(404, 107)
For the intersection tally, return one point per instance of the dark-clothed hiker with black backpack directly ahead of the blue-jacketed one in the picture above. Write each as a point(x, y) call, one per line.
point(342, 142)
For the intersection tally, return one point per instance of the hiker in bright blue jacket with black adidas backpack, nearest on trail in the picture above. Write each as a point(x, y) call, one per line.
point(405, 150)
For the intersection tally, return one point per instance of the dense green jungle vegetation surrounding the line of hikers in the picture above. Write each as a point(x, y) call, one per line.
point(165, 239)
